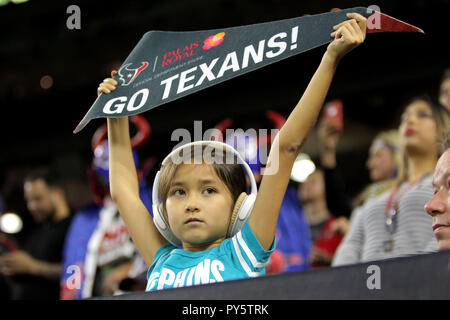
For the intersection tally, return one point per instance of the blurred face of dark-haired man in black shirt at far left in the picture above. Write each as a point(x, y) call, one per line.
point(39, 198)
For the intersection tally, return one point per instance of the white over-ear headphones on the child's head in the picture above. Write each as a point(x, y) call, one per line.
point(243, 210)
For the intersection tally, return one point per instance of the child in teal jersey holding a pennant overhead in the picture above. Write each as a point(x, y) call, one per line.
point(197, 200)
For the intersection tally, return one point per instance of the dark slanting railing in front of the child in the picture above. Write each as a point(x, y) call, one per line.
point(425, 276)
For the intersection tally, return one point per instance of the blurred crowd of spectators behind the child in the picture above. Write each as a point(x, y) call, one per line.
point(83, 253)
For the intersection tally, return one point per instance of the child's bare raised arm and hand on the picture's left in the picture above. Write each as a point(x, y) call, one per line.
point(124, 185)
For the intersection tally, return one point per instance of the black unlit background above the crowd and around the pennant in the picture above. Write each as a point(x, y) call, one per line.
point(374, 81)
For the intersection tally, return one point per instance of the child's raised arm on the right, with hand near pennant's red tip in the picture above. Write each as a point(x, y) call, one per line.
point(287, 145)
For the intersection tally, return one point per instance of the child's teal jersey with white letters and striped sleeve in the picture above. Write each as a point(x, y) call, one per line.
point(241, 256)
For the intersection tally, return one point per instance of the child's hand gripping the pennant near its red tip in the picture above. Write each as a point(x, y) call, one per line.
point(347, 35)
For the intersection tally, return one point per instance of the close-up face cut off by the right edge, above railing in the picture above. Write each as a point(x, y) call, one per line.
point(439, 206)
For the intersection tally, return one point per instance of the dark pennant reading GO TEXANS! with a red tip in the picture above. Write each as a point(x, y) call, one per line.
point(165, 66)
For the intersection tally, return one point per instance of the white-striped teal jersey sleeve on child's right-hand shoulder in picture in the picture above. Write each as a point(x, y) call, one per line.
point(250, 254)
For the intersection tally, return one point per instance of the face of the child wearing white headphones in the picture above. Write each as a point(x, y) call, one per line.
point(199, 207)
